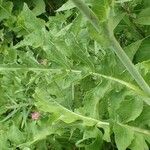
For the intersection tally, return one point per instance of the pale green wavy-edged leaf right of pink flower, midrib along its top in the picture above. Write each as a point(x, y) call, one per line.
point(47, 104)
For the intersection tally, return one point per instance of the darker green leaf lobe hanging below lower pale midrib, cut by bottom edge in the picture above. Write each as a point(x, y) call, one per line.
point(123, 136)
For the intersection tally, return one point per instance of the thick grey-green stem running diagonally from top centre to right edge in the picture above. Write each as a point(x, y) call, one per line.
point(116, 46)
